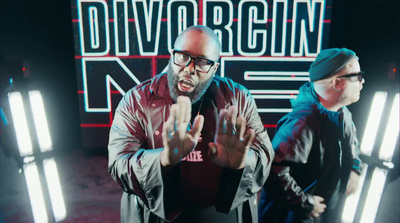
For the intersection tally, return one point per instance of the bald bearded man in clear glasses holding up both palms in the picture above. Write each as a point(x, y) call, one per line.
point(187, 145)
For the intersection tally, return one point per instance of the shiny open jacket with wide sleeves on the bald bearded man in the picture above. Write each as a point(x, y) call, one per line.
point(136, 142)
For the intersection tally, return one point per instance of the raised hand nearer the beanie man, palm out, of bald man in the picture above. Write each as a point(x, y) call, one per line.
point(232, 140)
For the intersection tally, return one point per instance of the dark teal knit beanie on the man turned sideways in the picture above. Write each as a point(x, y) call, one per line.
point(328, 62)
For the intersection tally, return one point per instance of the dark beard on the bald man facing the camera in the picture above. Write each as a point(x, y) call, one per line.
point(194, 96)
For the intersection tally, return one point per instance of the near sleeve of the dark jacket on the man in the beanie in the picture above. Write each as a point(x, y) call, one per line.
point(292, 144)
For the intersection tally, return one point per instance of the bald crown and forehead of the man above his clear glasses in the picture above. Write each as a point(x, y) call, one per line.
point(198, 37)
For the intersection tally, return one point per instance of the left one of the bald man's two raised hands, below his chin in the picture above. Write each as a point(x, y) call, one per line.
point(178, 139)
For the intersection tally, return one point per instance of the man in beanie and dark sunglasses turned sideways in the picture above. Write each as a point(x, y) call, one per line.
point(316, 148)
